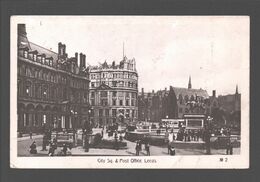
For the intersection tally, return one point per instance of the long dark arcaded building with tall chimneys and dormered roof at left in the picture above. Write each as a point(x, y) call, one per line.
point(52, 89)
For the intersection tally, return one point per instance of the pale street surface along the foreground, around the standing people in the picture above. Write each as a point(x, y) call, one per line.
point(24, 146)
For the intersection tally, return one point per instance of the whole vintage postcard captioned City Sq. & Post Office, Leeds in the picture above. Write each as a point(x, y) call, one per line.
point(129, 92)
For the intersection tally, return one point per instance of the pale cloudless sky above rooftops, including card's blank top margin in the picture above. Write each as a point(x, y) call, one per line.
point(213, 50)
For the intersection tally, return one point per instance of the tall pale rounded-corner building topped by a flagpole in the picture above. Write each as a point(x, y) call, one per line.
point(113, 92)
